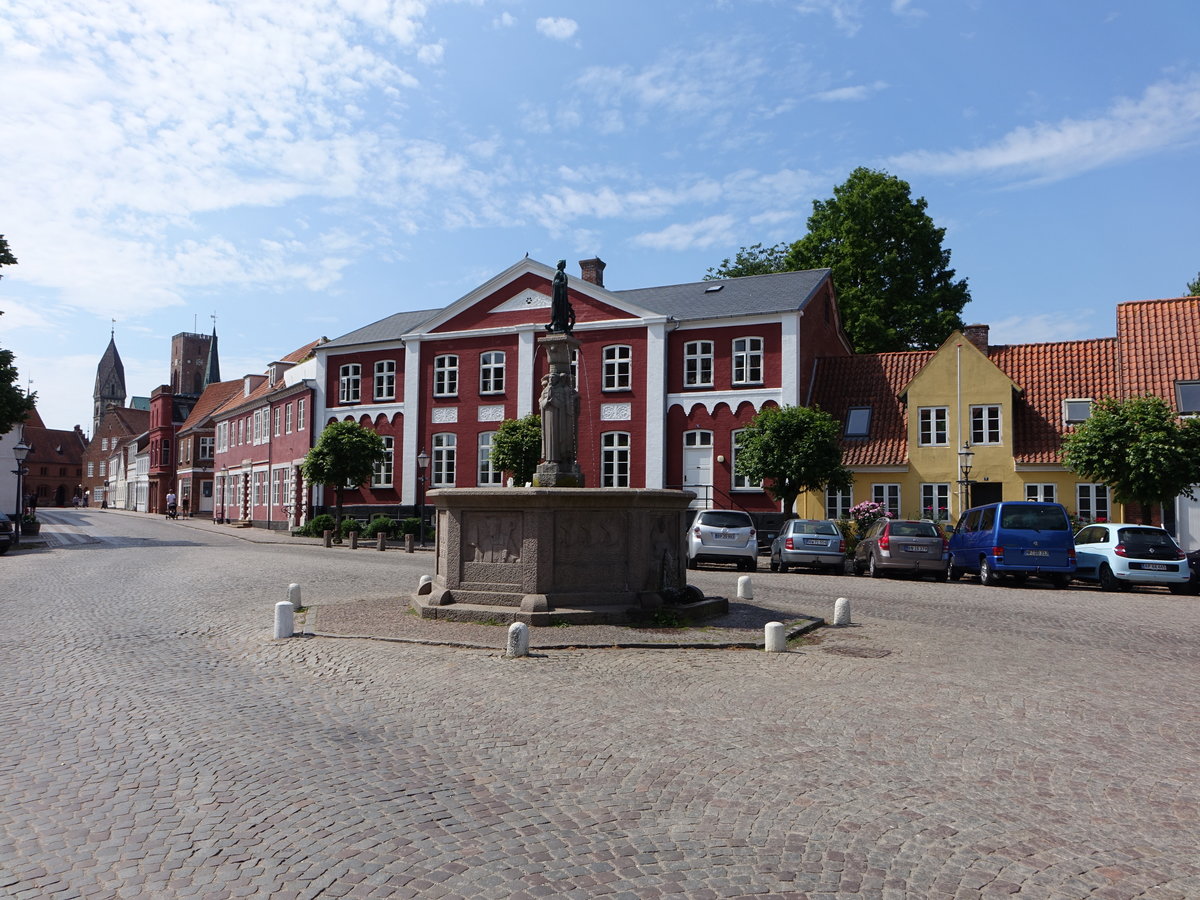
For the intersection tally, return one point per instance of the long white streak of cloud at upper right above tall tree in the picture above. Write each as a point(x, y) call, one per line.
point(1166, 117)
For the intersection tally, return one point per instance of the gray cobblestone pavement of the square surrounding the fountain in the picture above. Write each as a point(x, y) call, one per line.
point(956, 742)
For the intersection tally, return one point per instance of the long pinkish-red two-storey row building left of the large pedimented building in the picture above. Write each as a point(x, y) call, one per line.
point(262, 436)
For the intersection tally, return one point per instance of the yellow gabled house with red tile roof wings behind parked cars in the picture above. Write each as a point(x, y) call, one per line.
point(929, 434)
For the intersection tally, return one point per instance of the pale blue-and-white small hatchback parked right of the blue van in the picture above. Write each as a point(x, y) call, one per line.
point(1119, 555)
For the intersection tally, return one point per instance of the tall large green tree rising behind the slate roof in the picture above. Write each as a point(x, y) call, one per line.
point(896, 290)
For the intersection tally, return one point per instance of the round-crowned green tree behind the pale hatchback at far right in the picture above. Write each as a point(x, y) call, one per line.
point(1138, 447)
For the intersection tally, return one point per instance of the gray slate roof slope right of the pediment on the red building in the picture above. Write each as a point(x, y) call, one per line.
point(737, 297)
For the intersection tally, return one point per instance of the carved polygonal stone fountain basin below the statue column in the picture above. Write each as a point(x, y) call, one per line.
point(544, 556)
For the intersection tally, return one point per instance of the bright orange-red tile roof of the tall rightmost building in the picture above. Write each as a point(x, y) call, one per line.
point(1160, 344)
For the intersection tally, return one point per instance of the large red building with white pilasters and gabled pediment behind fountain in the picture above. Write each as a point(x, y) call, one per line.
point(667, 379)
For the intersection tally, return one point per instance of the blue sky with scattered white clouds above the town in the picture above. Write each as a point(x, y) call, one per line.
point(285, 170)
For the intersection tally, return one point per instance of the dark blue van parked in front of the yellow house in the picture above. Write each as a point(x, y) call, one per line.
point(1016, 538)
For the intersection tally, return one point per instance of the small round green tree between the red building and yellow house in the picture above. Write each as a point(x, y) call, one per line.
point(794, 451)
